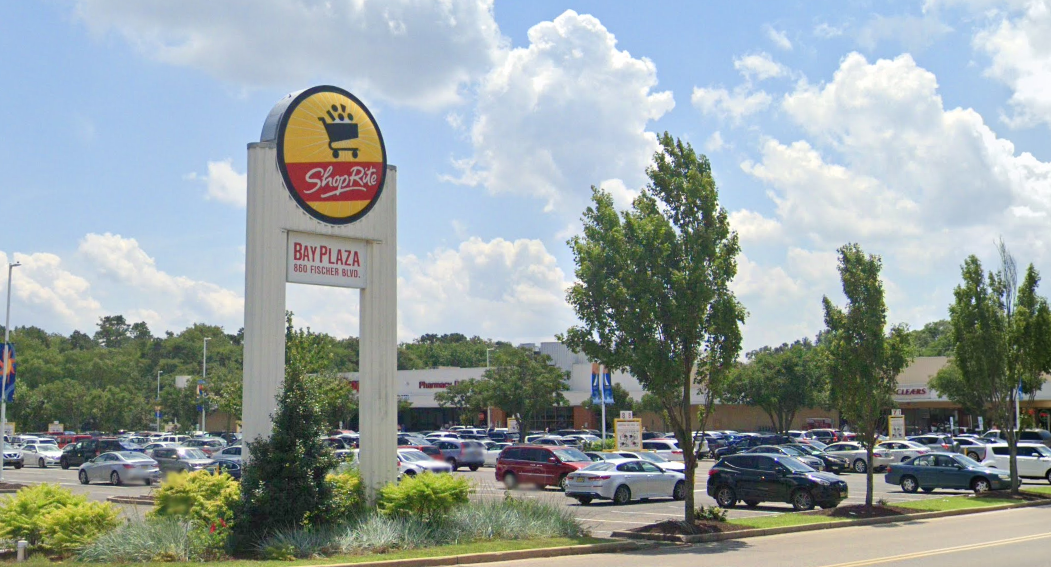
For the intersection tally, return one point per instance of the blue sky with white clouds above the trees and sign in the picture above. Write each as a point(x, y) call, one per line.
point(918, 130)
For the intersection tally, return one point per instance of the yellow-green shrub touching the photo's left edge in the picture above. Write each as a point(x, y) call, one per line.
point(24, 516)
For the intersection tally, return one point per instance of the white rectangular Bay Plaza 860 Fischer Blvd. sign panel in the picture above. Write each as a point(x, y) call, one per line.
point(322, 260)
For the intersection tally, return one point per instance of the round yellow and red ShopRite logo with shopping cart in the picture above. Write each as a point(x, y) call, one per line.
point(332, 155)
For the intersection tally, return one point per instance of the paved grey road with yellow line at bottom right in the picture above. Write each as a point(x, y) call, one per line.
point(1019, 538)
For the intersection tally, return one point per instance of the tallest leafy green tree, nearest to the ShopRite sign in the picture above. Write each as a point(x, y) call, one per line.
point(653, 290)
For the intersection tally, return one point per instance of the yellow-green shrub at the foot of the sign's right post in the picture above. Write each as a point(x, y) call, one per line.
point(426, 496)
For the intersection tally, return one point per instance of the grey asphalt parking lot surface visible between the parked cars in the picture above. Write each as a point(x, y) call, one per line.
point(602, 517)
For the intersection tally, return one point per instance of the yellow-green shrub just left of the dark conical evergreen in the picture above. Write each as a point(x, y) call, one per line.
point(200, 497)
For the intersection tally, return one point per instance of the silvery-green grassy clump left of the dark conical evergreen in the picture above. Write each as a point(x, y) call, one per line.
point(160, 539)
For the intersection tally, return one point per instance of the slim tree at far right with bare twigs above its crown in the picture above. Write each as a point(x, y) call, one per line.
point(1000, 332)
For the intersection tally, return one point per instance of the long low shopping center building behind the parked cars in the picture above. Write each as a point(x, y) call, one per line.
point(923, 408)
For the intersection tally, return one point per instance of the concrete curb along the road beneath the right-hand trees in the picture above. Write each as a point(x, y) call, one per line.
point(739, 535)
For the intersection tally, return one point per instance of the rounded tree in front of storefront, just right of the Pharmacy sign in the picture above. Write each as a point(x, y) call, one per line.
point(524, 386)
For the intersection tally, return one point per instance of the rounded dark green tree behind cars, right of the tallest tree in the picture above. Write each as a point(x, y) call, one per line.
point(780, 381)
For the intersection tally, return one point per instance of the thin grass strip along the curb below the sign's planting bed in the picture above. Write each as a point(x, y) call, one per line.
point(442, 552)
